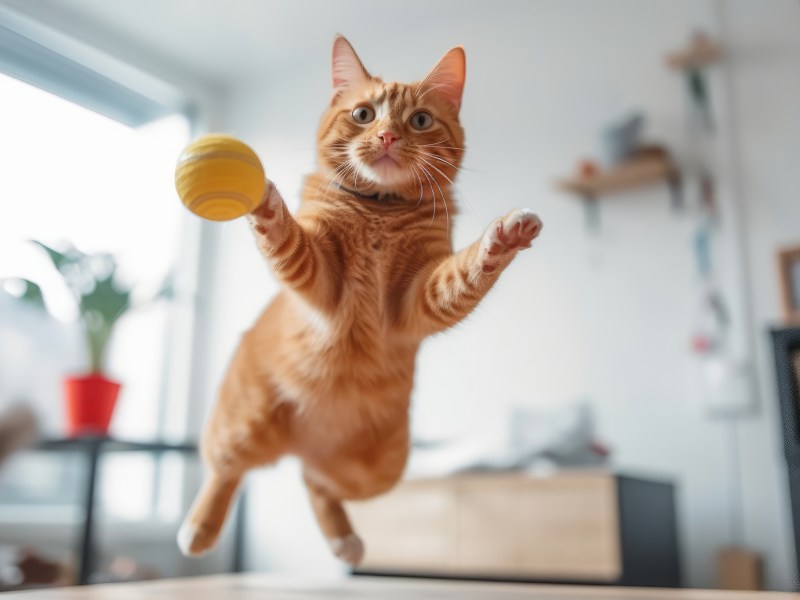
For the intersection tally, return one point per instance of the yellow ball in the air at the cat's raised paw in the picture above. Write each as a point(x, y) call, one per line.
point(219, 178)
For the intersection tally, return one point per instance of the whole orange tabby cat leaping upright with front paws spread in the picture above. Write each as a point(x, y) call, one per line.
point(326, 372)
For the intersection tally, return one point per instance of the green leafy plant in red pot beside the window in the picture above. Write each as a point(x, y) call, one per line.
point(101, 300)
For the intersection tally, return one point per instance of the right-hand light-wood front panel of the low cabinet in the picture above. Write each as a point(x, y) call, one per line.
point(564, 527)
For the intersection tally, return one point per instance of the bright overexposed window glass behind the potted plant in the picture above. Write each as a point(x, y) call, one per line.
point(71, 174)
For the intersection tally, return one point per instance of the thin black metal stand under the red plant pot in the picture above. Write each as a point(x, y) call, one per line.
point(93, 448)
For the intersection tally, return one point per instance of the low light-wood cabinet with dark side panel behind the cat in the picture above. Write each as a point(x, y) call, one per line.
point(569, 527)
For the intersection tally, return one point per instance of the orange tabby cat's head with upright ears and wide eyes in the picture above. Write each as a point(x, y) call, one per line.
point(403, 139)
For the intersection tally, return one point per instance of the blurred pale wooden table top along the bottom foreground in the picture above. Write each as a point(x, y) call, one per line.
point(253, 586)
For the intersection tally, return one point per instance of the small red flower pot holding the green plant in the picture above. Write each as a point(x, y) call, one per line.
point(90, 403)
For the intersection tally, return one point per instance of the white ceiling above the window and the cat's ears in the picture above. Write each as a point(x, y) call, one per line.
point(223, 43)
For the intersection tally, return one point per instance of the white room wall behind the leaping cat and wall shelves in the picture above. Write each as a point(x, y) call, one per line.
point(605, 318)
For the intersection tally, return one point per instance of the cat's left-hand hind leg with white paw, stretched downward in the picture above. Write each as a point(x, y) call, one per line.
point(202, 525)
